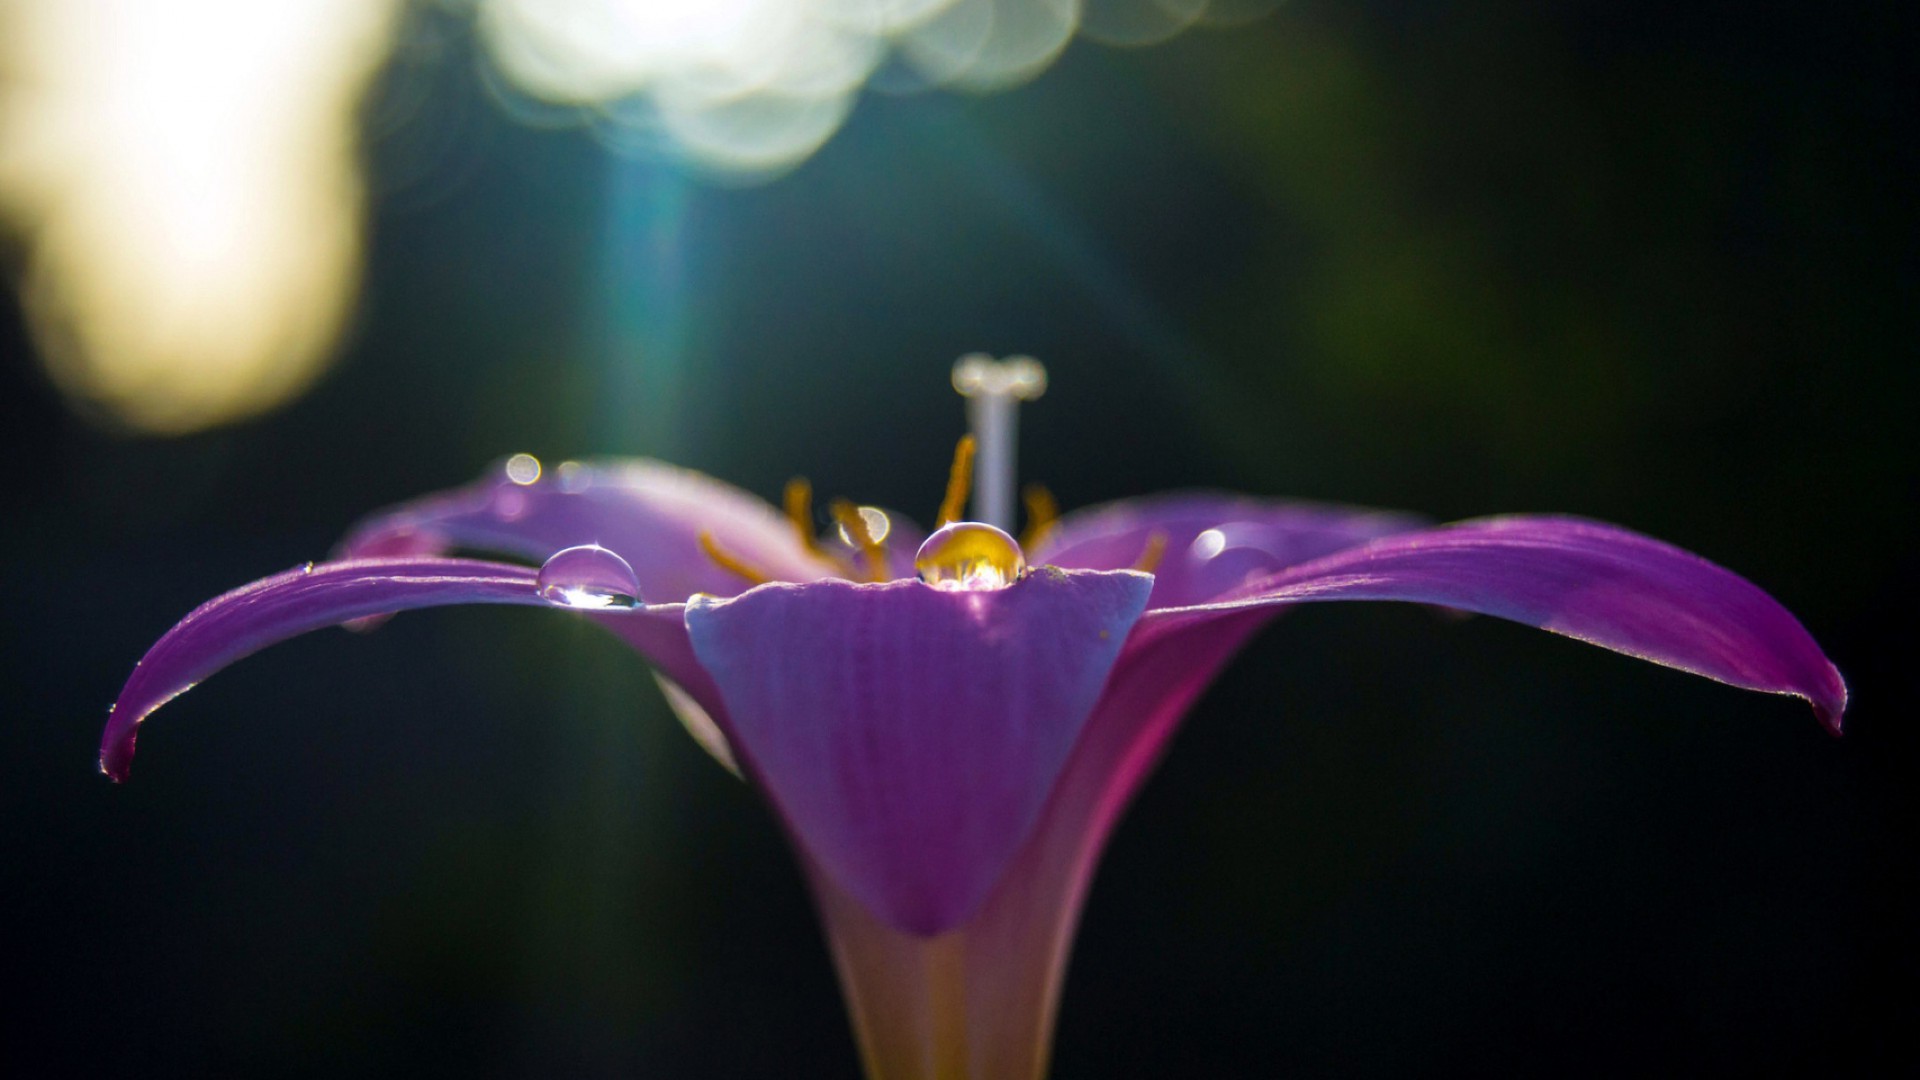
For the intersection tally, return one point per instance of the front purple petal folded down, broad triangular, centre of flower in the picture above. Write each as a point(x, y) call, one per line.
point(911, 735)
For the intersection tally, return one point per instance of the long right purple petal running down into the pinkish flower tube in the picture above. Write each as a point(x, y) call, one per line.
point(1011, 954)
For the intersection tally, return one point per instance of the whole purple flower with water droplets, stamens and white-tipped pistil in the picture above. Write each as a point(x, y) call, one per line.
point(949, 735)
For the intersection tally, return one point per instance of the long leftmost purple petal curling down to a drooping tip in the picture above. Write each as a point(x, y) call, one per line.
point(314, 597)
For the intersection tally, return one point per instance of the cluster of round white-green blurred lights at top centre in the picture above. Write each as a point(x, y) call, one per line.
point(748, 89)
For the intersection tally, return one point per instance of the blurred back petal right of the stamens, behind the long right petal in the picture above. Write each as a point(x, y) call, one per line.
point(1212, 543)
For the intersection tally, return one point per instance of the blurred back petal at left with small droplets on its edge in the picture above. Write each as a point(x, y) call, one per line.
point(652, 514)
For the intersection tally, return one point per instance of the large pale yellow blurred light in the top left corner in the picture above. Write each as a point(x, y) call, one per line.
point(187, 184)
